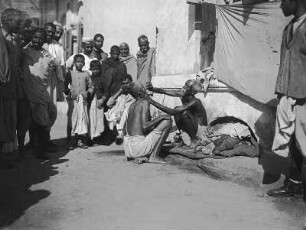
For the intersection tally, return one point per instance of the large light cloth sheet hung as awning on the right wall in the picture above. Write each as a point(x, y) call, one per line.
point(247, 51)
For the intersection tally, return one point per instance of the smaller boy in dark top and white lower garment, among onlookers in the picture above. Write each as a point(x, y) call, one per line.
point(96, 110)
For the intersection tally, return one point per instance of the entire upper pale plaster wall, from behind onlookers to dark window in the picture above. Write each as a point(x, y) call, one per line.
point(168, 30)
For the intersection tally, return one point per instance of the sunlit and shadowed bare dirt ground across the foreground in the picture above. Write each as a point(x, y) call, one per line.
point(98, 189)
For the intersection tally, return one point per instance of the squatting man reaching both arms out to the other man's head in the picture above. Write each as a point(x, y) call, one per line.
point(191, 115)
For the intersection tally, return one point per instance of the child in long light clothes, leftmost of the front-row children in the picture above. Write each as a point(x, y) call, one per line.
point(78, 86)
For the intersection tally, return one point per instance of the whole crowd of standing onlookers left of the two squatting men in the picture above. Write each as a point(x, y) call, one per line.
point(35, 77)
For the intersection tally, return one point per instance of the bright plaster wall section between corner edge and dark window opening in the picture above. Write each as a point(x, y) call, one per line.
point(176, 54)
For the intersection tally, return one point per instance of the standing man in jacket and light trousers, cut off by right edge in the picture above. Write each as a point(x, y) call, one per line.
point(290, 126)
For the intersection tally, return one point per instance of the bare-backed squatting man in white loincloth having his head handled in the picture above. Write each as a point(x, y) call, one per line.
point(144, 137)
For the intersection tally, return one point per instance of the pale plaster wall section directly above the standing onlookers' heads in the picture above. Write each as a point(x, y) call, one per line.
point(120, 21)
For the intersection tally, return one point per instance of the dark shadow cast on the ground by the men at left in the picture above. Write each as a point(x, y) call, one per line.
point(16, 194)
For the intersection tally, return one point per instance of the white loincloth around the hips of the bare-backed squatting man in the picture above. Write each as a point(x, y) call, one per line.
point(141, 146)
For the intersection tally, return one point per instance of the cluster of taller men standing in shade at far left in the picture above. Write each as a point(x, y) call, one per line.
point(31, 77)
